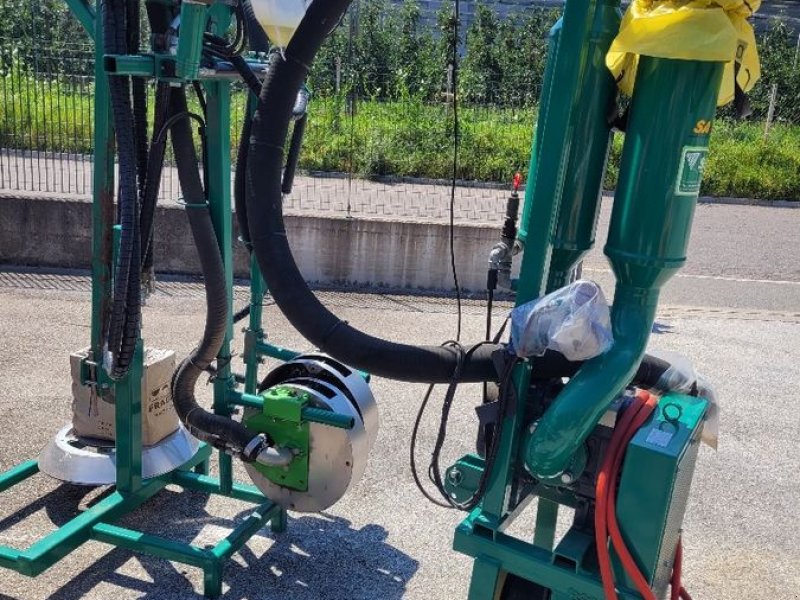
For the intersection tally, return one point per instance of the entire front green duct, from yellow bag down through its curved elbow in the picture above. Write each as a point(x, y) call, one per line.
point(673, 105)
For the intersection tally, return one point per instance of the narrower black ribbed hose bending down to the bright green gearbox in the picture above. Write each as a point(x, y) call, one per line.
point(217, 430)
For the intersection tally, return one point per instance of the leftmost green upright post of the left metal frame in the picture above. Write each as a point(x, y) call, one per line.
point(102, 198)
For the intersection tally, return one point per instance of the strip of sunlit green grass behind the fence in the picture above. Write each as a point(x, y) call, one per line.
point(414, 139)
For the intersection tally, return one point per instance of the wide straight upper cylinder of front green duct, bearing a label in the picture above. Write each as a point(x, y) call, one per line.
point(664, 154)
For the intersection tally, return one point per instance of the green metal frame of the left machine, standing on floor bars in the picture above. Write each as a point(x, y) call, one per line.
point(131, 491)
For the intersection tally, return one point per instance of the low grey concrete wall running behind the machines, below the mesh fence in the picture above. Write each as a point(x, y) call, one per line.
point(57, 233)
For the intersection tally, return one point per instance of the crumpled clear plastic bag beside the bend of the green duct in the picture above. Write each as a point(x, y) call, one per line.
point(574, 321)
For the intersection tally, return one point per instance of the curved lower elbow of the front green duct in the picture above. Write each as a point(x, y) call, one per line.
point(553, 450)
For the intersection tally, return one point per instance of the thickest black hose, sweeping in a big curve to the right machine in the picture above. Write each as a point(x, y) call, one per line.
point(428, 364)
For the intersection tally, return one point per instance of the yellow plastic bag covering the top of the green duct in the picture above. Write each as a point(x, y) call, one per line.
point(707, 30)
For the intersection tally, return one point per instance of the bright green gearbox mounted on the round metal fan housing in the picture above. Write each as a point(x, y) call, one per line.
point(281, 419)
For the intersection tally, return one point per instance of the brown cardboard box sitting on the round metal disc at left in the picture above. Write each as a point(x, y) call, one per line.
point(93, 416)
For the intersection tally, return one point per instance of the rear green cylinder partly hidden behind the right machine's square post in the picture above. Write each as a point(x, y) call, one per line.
point(586, 162)
